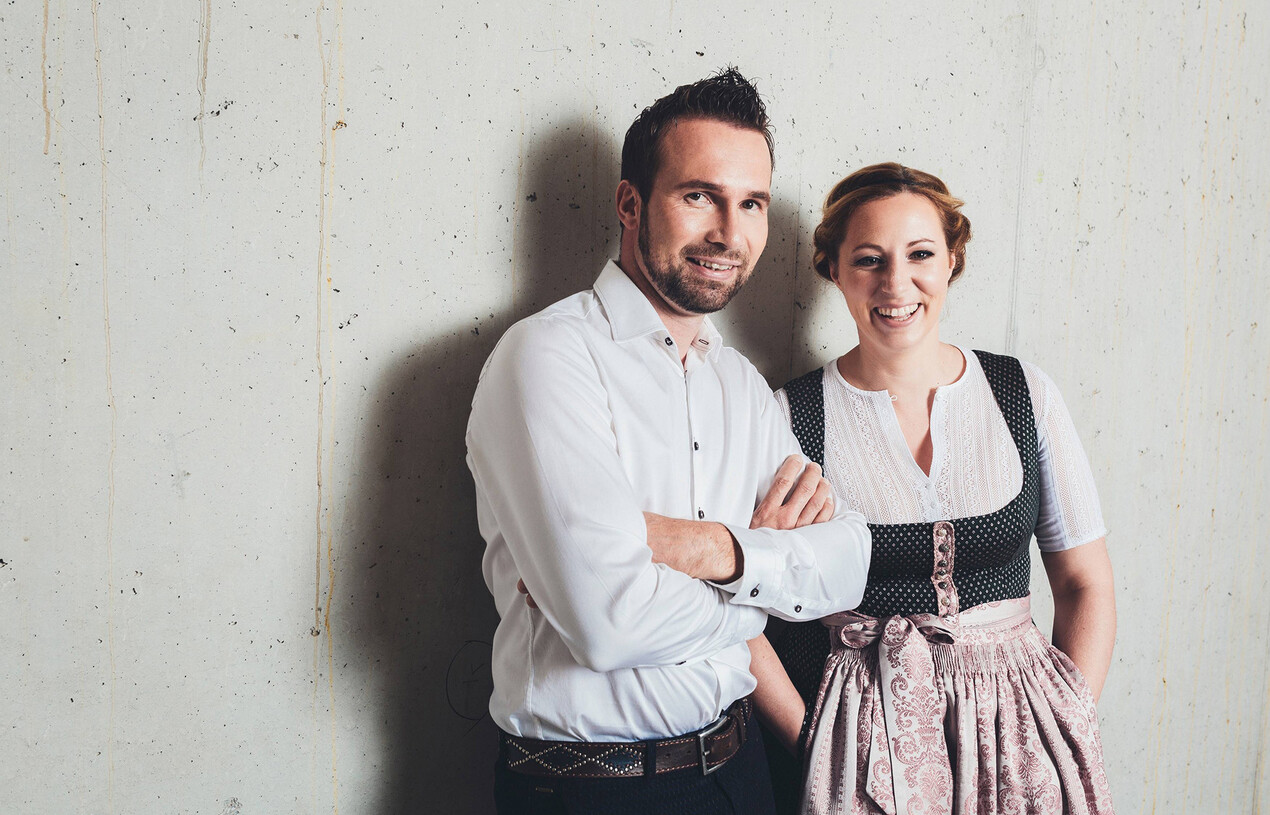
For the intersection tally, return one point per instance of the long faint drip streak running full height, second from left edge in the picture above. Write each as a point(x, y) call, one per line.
point(115, 416)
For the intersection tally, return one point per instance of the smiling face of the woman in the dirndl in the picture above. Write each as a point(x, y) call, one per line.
point(893, 268)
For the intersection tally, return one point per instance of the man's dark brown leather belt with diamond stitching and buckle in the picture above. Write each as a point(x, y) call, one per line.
point(709, 750)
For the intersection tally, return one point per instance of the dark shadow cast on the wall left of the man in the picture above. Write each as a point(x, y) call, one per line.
point(418, 597)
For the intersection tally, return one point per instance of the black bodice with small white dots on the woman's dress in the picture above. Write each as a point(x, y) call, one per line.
point(938, 568)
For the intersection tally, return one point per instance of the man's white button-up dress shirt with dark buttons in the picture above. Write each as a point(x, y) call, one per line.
point(584, 420)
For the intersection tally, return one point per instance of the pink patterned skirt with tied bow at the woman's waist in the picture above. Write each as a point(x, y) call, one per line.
point(970, 714)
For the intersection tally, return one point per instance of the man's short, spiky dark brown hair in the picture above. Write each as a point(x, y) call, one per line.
point(727, 97)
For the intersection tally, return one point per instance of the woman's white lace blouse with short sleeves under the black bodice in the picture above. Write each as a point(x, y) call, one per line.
point(976, 468)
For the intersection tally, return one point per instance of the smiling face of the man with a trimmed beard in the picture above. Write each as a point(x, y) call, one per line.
point(705, 222)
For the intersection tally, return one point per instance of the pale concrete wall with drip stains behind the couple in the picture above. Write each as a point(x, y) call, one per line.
point(255, 255)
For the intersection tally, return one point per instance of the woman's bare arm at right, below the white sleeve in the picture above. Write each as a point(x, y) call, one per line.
point(1084, 609)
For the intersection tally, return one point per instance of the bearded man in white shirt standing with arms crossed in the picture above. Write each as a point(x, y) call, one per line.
point(619, 451)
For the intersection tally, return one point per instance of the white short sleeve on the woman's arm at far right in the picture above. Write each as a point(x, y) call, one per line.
point(1070, 511)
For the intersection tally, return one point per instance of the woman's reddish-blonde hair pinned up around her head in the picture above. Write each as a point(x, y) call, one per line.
point(883, 181)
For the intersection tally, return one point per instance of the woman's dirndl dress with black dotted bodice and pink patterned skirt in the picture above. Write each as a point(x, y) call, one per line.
point(939, 695)
